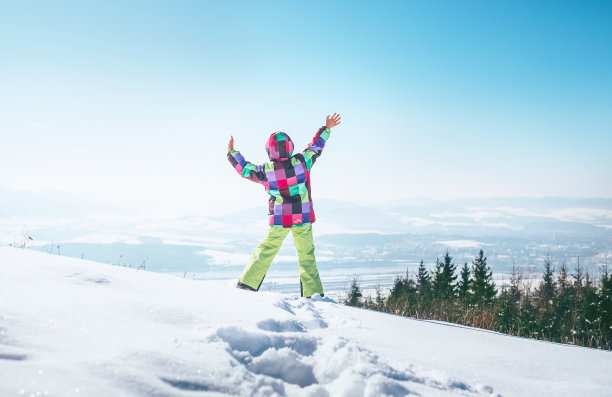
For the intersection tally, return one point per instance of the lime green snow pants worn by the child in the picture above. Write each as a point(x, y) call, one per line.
point(261, 259)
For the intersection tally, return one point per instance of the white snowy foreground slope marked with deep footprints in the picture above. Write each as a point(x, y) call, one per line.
point(75, 327)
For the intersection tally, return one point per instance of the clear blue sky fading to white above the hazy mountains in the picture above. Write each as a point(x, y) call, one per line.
point(133, 102)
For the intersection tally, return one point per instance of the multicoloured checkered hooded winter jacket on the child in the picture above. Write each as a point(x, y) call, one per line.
point(286, 177)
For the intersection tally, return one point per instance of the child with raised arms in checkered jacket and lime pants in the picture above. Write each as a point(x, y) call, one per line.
point(286, 178)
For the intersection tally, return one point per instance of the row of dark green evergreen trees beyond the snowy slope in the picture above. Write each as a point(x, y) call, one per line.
point(568, 308)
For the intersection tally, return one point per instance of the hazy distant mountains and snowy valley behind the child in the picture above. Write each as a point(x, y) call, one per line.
point(511, 230)
